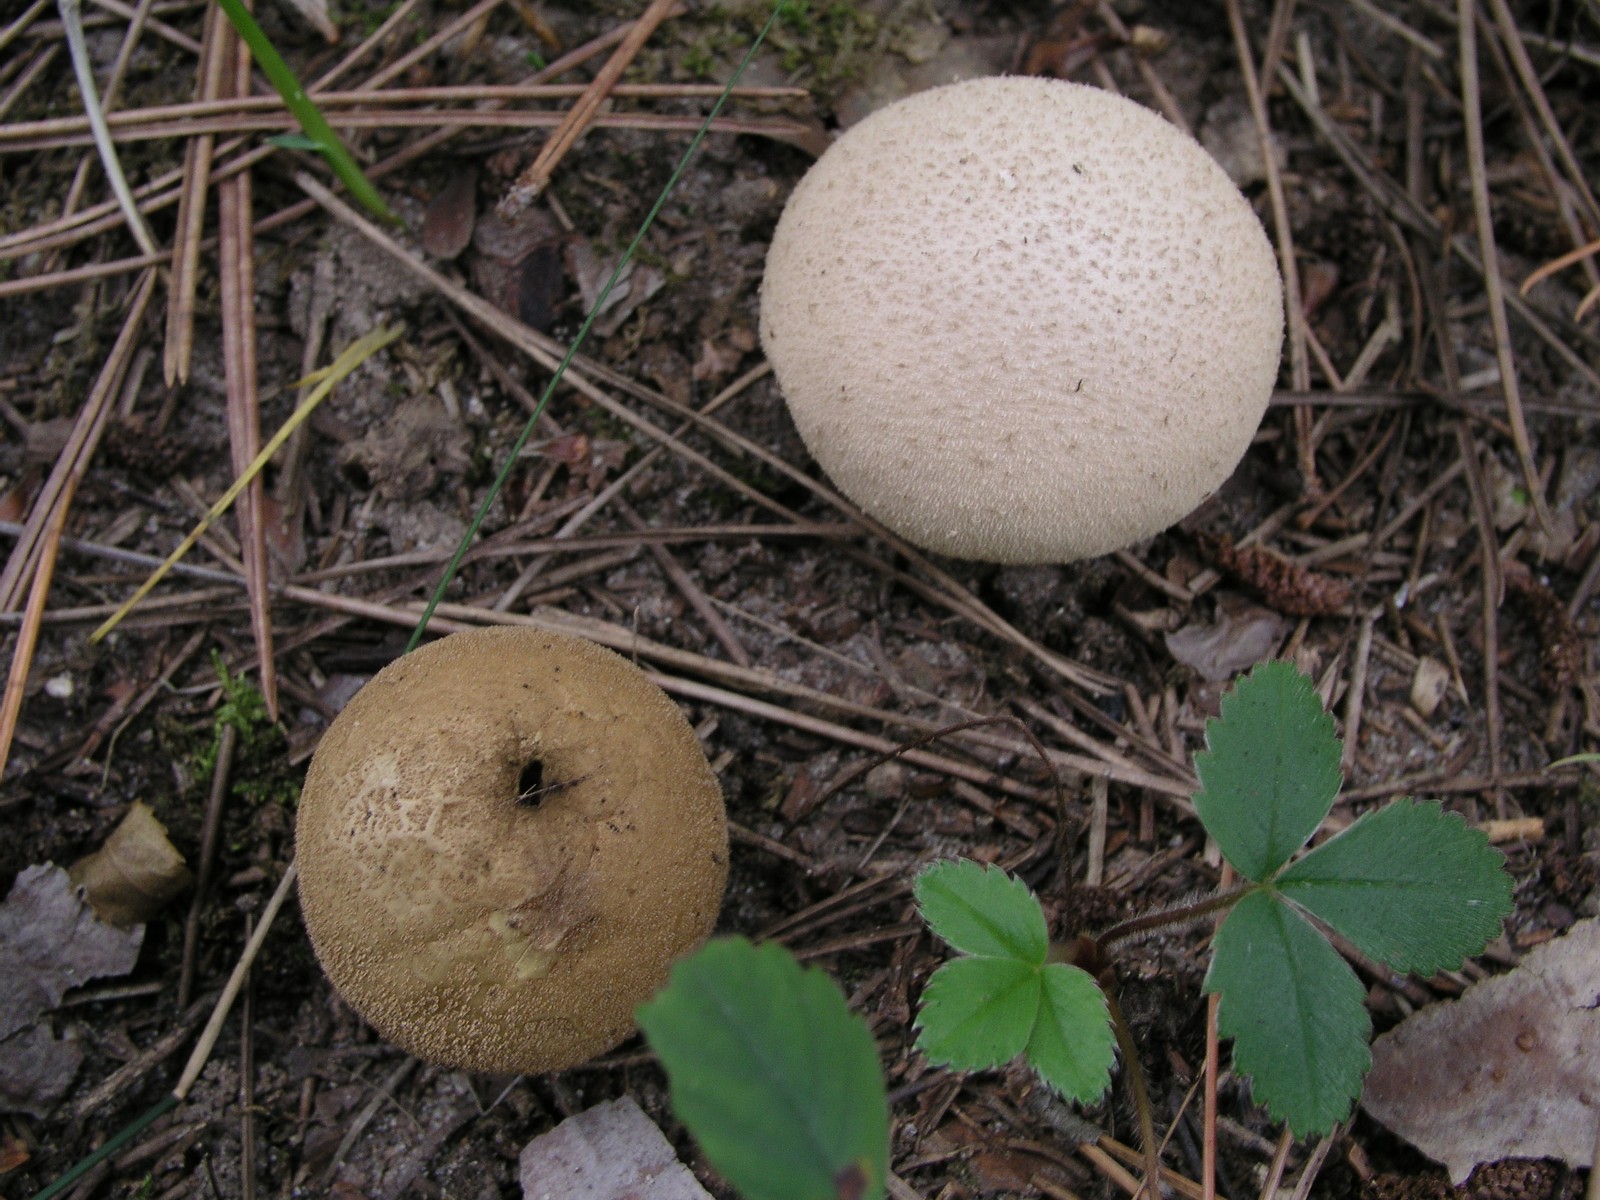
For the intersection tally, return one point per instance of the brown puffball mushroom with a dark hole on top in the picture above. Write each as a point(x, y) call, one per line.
point(505, 841)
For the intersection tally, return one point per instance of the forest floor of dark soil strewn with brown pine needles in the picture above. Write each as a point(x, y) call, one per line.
point(1426, 476)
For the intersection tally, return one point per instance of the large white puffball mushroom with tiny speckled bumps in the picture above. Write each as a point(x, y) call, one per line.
point(1023, 321)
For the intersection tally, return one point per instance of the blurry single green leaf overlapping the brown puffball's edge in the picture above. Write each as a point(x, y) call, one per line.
point(772, 1073)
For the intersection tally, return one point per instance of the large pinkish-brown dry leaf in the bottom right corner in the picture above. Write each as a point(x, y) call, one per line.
point(1513, 1070)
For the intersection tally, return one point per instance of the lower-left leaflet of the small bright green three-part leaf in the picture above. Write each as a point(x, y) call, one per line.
point(978, 1012)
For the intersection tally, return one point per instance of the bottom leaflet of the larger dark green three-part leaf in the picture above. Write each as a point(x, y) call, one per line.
point(1295, 1012)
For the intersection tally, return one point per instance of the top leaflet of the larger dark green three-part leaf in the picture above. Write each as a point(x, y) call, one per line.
point(1270, 772)
